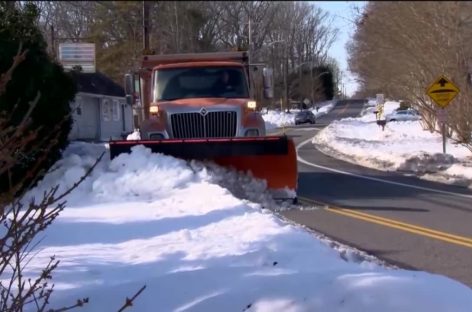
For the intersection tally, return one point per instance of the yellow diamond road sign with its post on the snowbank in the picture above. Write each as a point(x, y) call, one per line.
point(442, 91)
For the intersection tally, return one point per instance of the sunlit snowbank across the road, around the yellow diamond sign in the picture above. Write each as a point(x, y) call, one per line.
point(403, 146)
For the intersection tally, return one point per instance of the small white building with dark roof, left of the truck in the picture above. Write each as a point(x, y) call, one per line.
point(99, 111)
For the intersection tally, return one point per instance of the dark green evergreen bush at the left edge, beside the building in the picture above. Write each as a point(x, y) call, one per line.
point(37, 73)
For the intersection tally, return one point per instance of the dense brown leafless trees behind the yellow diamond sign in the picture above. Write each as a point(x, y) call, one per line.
point(391, 58)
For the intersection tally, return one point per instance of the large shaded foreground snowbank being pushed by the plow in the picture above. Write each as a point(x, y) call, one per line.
point(148, 219)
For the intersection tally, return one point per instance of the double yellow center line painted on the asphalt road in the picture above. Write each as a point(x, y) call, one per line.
point(406, 227)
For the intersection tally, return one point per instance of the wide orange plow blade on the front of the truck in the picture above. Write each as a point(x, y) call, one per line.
point(272, 158)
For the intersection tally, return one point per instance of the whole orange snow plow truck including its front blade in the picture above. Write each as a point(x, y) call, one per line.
point(201, 106)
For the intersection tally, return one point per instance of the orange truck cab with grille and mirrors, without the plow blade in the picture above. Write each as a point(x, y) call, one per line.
point(194, 96)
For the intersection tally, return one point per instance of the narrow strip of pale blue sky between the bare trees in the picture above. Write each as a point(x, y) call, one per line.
point(342, 12)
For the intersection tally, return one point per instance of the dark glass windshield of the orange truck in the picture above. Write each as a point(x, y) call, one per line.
point(197, 82)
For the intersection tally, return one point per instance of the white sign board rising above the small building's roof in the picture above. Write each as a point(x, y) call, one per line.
point(78, 54)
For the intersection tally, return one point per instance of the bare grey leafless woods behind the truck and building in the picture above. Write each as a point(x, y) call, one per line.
point(283, 34)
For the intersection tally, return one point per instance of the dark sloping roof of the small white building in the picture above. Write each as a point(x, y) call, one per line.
point(97, 83)
